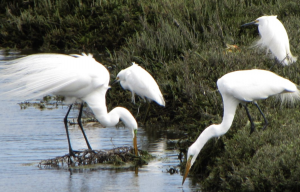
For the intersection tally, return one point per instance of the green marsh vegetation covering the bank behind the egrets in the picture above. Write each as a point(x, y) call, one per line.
point(183, 45)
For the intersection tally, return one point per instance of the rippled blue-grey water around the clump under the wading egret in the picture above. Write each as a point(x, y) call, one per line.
point(28, 136)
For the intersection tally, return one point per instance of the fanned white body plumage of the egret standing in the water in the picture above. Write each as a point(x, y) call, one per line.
point(42, 74)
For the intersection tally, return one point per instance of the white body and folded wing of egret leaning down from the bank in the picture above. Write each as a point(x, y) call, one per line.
point(251, 85)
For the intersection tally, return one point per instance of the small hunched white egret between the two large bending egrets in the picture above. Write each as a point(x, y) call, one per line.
point(140, 82)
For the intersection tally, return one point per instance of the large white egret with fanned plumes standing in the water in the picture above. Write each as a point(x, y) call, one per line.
point(76, 77)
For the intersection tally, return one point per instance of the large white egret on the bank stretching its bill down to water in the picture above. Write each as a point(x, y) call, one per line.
point(241, 87)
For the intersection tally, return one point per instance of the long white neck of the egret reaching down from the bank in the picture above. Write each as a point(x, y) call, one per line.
point(230, 105)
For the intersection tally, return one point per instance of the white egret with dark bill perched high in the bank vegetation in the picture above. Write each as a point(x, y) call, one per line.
point(274, 37)
